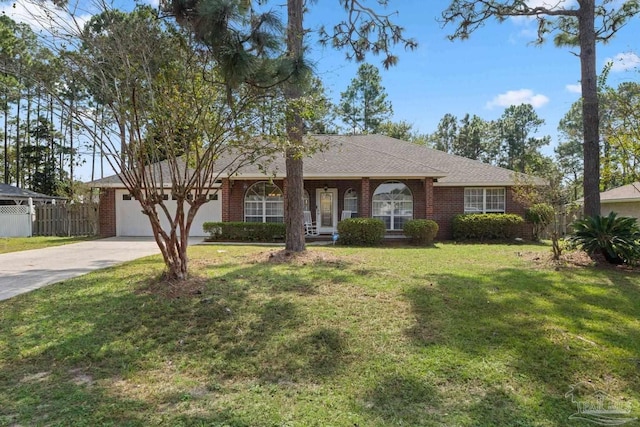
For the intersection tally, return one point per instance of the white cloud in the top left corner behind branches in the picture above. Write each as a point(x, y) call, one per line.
point(44, 16)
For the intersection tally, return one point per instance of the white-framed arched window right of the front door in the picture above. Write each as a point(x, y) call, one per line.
point(393, 203)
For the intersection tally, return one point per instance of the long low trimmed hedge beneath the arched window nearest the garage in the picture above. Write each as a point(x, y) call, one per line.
point(245, 231)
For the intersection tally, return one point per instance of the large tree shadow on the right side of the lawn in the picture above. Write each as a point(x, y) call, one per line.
point(545, 332)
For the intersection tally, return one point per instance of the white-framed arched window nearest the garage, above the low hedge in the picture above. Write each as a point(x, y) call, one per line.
point(263, 202)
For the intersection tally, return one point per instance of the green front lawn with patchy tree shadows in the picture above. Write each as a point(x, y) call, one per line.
point(458, 335)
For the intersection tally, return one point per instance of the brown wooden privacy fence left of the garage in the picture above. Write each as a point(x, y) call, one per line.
point(78, 219)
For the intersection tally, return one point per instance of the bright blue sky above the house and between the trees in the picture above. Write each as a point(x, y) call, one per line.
point(496, 67)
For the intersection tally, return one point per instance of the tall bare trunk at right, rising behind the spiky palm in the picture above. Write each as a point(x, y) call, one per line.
point(590, 113)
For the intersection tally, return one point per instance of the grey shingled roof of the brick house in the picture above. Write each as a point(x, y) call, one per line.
point(375, 156)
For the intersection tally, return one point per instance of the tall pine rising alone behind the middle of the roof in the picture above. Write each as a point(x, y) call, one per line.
point(363, 105)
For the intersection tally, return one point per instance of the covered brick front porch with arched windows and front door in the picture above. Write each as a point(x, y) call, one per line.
point(327, 201)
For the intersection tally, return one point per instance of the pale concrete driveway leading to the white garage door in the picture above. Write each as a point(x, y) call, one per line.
point(24, 271)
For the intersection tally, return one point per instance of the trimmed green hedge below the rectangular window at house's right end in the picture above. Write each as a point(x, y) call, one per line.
point(486, 226)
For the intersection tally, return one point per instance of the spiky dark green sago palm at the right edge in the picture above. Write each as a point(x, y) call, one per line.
point(616, 238)
